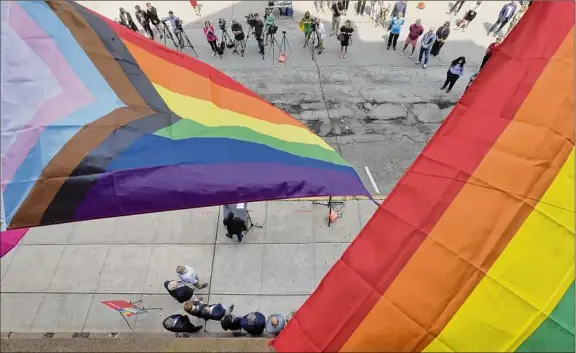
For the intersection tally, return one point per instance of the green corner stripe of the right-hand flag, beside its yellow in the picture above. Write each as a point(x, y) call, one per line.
point(556, 333)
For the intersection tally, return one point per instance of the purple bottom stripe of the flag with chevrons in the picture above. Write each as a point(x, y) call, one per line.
point(188, 186)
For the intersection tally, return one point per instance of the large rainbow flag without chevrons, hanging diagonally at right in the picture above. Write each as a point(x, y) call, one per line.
point(473, 251)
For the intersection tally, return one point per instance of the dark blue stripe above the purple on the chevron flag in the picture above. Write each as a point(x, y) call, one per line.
point(154, 151)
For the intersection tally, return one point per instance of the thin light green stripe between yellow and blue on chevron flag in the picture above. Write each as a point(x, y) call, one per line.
point(186, 128)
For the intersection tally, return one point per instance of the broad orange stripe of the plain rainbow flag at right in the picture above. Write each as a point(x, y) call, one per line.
point(479, 223)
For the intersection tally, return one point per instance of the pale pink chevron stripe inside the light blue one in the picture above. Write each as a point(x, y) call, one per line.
point(74, 95)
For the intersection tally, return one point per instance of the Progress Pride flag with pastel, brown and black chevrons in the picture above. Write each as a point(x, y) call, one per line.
point(99, 121)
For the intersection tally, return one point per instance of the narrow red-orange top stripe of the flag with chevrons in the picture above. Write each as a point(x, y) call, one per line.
point(177, 58)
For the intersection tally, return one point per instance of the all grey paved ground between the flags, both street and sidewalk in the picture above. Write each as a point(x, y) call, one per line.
point(382, 110)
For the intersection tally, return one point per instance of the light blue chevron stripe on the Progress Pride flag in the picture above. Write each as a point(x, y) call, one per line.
point(57, 135)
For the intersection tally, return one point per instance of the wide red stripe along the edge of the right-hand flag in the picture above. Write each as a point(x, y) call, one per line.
point(397, 229)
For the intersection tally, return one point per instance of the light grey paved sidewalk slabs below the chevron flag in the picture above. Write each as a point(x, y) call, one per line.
point(54, 280)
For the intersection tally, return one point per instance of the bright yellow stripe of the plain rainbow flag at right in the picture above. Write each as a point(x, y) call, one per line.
point(527, 281)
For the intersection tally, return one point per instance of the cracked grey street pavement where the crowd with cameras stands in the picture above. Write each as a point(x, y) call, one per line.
point(382, 108)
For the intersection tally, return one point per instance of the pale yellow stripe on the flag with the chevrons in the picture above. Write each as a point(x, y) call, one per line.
point(208, 114)
